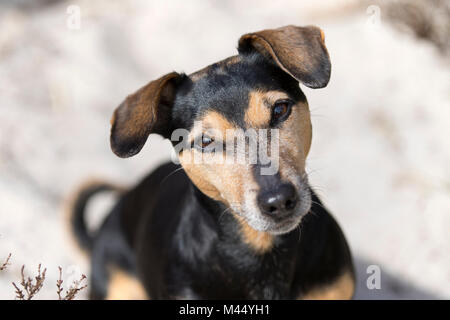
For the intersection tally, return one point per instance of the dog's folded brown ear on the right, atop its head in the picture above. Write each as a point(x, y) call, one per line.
point(299, 51)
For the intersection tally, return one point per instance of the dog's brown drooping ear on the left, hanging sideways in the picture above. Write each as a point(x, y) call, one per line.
point(143, 112)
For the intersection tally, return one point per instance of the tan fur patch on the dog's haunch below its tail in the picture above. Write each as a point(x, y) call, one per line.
point(123, 286)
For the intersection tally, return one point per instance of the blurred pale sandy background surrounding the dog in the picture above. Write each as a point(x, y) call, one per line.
point(380, 154)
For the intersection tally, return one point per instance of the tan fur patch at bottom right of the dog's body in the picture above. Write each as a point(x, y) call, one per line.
point(341, 289)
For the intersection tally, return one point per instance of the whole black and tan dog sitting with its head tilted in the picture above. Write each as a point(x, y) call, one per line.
point(213, 231)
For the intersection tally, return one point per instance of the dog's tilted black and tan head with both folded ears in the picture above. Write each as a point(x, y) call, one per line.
point(253, 97)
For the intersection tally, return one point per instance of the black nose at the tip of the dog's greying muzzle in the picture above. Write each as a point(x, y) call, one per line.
point(278, 202)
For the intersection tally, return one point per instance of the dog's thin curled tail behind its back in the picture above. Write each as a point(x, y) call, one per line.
point(77, 208)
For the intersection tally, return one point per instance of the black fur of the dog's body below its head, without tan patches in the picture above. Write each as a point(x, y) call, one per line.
point(183, 247)
